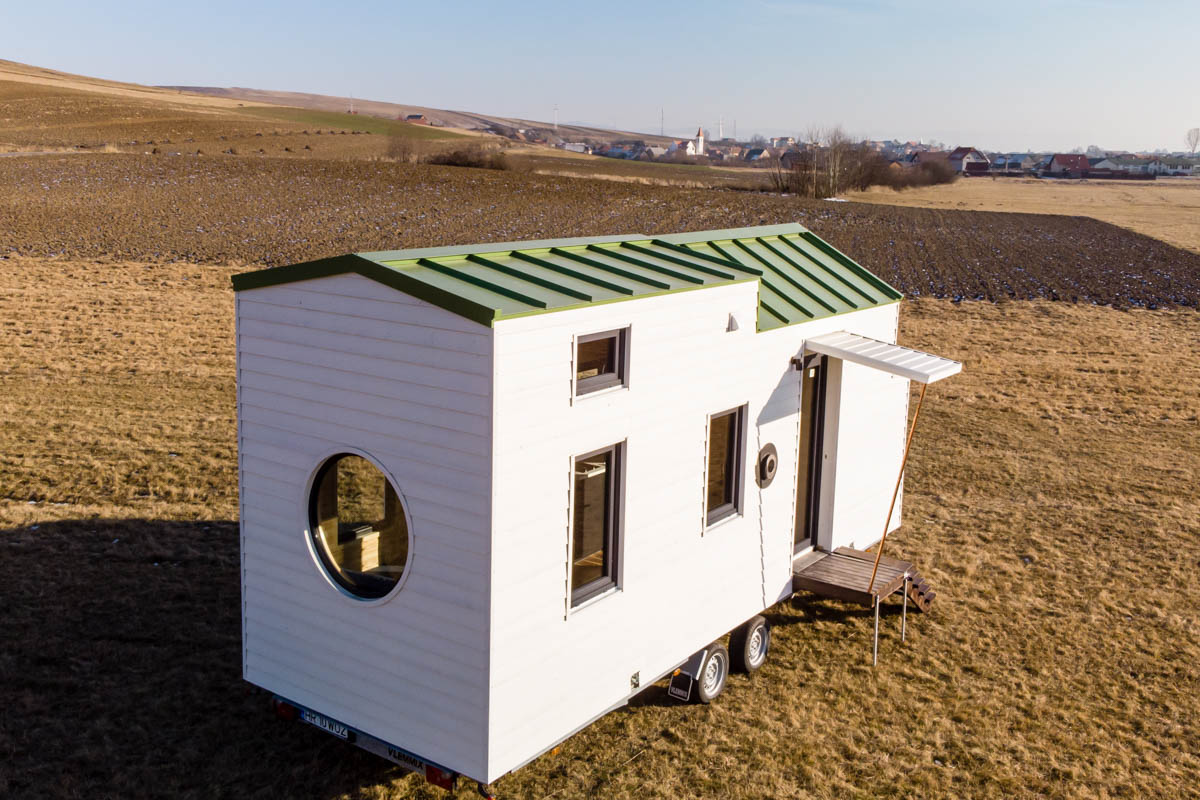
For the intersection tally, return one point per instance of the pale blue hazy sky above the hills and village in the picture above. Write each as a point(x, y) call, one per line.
point(1027, 75)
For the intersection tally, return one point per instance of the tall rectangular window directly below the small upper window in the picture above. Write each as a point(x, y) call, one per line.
point(596, 526)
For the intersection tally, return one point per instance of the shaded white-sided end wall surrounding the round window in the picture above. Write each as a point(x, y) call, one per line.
point(347, 364)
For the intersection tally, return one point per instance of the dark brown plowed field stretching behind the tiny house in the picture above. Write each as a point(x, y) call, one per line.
point(230, 209)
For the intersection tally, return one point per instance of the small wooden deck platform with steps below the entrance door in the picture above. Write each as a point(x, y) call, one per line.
point(845, 575)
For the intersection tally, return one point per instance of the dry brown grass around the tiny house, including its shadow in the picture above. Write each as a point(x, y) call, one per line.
point(1053, 501)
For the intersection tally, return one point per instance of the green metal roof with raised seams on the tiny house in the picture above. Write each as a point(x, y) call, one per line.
point(801, 278)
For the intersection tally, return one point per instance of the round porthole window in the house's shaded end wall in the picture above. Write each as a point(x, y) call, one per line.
point(358, 527)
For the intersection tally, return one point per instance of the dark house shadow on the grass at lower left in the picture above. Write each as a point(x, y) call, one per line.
point(122, 673)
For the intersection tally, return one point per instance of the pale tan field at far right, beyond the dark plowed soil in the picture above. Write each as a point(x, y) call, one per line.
point(1167, 209)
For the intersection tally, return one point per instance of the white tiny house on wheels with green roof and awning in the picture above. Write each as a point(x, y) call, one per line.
point(490, 494)
